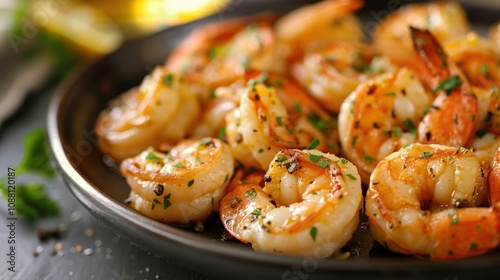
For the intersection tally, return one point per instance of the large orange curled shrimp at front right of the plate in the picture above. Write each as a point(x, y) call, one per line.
point(425, 200)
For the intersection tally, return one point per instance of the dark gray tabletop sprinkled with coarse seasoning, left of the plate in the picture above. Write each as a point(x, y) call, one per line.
point(108, 256)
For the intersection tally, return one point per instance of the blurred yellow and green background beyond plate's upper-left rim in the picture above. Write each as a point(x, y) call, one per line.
point(44, 40)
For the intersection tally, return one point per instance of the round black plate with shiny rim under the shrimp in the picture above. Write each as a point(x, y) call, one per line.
point(102, 190)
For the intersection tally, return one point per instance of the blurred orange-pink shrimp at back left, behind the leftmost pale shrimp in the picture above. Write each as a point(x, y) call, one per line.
point(218, 54)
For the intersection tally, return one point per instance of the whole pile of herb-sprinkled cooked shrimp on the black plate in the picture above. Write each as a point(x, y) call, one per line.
point(280, 123)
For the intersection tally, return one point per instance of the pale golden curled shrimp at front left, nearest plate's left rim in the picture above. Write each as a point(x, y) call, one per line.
point(183, 186)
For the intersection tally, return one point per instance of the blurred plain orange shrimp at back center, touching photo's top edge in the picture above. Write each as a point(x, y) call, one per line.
point(326, 21)
